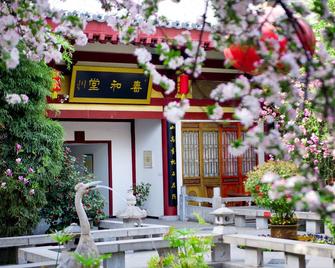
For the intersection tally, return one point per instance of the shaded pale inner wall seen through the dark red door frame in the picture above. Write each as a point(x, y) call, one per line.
point(100, 164)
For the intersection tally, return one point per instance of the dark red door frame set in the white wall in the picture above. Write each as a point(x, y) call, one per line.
point(109, 152)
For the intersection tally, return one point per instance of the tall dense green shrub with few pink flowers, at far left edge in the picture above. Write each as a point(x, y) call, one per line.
point(26, 123)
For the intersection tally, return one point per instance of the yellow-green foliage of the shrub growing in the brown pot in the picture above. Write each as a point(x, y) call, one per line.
point(283, 207)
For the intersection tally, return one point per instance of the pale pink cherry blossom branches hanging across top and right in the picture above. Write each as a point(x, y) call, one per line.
point(278, 49)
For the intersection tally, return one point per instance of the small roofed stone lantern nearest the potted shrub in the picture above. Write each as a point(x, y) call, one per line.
point(223, 217)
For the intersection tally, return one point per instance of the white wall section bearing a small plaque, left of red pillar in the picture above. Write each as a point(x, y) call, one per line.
point(148, 137)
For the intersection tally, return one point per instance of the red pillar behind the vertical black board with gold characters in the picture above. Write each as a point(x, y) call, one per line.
point(168, 210)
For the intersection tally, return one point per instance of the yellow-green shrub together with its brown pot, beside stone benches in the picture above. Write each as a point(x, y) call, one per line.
point(260, 182)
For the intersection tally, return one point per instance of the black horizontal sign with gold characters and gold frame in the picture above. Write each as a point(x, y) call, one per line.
point(109, 85)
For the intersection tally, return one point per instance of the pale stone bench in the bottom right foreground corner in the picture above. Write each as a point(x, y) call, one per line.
point(295, 251)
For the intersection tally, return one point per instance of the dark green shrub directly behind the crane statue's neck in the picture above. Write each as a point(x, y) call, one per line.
point(60, 211)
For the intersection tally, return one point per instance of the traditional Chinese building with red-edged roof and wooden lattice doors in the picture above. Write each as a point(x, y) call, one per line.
point(114, 115)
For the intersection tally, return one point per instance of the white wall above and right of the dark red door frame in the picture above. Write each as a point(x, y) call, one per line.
point(119, 134)
